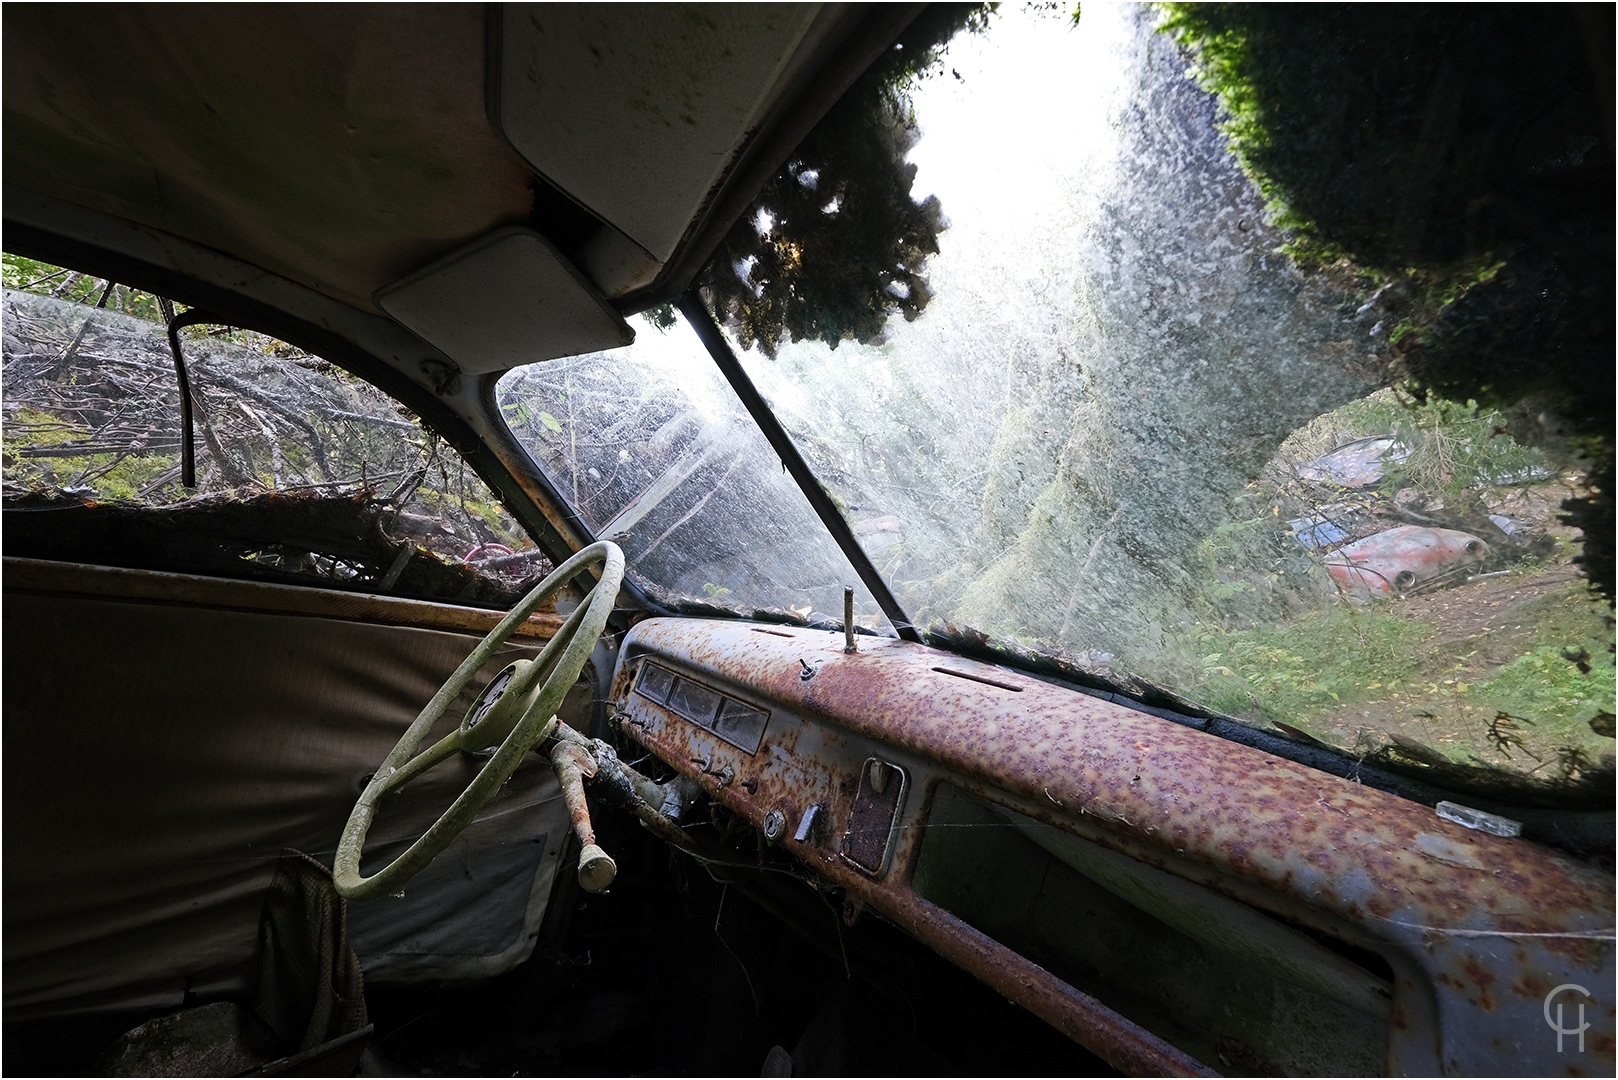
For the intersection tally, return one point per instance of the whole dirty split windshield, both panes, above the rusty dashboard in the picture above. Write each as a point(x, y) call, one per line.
point(1125, 433)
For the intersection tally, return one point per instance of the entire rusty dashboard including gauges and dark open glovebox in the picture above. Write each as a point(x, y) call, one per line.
point(1143, 887)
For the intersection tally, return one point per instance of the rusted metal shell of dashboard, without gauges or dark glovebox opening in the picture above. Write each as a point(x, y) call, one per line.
point(1478, 929)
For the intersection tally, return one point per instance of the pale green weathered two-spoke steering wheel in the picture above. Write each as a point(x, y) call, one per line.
point(515, 713)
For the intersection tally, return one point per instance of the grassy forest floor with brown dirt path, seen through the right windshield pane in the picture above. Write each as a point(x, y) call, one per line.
point(1510, 670)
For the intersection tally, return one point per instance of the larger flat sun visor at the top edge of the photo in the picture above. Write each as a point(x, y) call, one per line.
point(640, 119)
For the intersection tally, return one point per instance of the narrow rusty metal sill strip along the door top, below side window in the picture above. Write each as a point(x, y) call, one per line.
point(38, 576)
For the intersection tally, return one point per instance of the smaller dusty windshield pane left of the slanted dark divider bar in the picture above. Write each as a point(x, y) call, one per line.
point(654, 451)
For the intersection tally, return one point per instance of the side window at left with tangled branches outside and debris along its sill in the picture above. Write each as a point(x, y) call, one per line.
point(305, 474)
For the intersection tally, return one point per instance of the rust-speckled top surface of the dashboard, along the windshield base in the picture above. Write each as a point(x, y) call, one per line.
point(1148, 786)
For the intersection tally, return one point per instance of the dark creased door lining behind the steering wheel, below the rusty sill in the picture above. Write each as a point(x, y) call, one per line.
point(159, 755)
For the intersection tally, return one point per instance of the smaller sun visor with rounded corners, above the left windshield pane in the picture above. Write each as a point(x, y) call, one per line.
point(506, 300)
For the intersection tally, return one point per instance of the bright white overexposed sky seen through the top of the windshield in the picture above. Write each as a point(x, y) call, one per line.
point(1017, 148)
